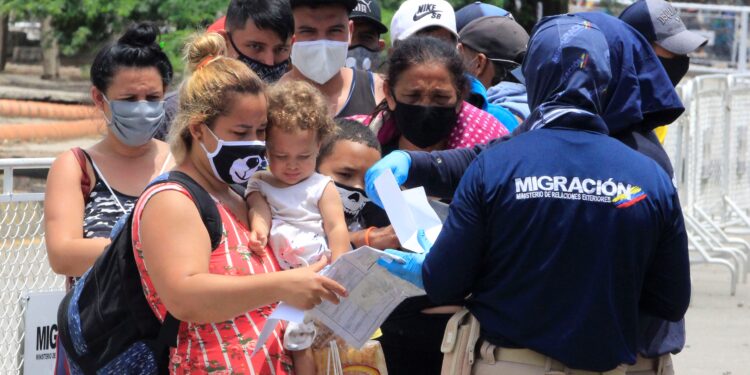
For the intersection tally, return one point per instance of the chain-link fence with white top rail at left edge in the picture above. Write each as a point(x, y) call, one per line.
point(23, 260)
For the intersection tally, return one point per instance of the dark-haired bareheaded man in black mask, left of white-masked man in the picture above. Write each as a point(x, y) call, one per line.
point(258, 33)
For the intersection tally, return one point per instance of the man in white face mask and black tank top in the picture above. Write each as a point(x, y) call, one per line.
point(322, 32)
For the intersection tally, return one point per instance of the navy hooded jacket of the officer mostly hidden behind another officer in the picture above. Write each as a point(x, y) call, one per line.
point(657, 104)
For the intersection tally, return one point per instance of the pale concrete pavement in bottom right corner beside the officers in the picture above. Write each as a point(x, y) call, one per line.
point(718, 326)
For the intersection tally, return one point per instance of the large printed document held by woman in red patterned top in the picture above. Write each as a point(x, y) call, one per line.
point(373, 294)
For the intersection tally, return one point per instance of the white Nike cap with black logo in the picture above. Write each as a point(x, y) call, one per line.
point(434, 18)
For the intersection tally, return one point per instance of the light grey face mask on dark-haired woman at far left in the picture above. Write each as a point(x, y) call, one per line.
point(135, 123)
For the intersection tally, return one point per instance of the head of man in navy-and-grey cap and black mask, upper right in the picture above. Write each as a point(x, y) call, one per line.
point(659, 22)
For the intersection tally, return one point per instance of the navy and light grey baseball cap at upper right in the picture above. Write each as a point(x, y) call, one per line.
point(659, 22)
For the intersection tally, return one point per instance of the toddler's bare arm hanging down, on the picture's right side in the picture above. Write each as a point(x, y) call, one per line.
point(334, 224)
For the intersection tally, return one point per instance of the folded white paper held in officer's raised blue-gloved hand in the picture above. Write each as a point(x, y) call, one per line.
point(409, 211)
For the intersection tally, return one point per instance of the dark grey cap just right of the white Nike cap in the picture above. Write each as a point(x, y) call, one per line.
point(500, 38)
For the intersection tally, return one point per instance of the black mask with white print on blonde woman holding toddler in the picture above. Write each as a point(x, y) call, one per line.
point(235, 162)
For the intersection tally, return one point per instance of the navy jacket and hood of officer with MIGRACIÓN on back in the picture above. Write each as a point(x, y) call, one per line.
point(561, 234)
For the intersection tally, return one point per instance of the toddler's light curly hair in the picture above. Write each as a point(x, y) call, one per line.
point(297, 105)
